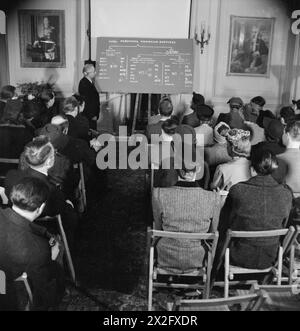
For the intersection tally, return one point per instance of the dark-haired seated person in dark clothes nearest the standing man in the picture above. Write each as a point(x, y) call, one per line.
point(78, 124)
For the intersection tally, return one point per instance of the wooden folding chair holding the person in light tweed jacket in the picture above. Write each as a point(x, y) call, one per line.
point(204, 272)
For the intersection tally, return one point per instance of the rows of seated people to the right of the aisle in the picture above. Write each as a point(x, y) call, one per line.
point(254, 159)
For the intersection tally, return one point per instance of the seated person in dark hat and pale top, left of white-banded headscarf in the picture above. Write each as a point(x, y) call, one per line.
point(204, 131)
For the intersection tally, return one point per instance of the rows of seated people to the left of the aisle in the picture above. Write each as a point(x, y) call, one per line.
point(49, 140)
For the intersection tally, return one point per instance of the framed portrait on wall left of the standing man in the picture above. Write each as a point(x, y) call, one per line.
point(42, 38)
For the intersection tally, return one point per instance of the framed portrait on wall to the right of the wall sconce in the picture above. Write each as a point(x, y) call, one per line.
point(250, 46)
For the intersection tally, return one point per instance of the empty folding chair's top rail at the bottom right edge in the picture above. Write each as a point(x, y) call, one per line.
point(250, 302)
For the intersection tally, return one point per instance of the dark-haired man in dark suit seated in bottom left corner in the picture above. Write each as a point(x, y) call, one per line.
point(25, 247)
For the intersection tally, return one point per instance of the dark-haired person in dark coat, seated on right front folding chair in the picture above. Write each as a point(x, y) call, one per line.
point(258, 204)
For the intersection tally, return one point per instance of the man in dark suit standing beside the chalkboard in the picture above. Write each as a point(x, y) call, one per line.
point(88, 90)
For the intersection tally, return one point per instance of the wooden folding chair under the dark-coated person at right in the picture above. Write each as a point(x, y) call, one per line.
point(231, 270)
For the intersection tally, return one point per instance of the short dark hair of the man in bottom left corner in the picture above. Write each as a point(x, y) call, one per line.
point(29, 194)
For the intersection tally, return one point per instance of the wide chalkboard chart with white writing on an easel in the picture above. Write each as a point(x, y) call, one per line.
point(140, 65)
